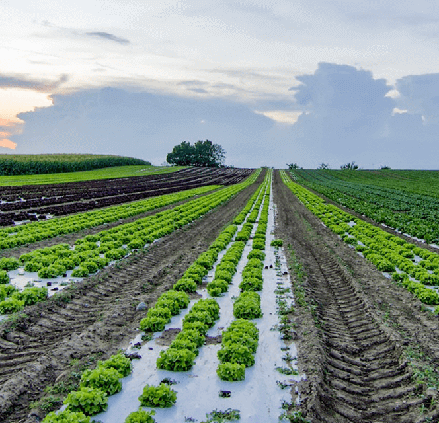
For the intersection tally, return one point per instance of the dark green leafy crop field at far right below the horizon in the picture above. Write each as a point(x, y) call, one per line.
point(407, 201)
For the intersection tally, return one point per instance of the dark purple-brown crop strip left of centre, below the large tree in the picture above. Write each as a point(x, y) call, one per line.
point(35, 203)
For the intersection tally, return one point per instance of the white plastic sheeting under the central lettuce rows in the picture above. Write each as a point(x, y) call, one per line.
point(259, 398)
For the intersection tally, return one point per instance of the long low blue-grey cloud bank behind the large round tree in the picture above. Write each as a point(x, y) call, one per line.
point(144, 125)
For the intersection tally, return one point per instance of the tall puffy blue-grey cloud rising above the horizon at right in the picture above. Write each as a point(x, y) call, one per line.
point(349, 116)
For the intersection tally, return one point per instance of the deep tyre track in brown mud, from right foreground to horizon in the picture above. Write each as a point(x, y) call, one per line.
point(356, 374)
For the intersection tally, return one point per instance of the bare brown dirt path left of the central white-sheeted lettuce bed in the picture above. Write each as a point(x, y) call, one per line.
point(98, 316)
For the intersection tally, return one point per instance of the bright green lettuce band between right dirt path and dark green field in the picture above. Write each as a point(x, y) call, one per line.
point(389, 253)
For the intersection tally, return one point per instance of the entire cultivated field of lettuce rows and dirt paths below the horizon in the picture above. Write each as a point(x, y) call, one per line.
point(215, 295)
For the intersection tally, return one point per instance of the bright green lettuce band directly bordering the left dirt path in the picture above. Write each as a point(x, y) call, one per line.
point(93, 252)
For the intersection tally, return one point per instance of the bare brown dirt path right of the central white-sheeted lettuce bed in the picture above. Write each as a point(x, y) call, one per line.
point(359, 334)
